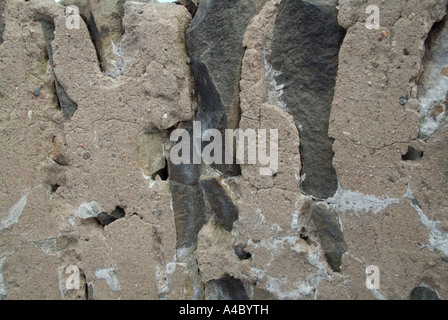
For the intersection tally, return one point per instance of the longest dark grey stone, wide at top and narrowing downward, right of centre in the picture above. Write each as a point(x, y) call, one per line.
point(305, 50)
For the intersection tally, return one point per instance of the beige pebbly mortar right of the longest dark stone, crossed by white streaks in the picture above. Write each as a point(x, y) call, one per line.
point(374, 120)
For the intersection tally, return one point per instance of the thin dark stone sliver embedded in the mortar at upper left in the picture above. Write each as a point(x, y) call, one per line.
point(67, 105)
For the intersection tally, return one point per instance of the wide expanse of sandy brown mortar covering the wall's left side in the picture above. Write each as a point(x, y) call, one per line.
point(97, 155)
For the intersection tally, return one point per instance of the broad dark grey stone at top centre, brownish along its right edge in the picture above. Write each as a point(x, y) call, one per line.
point(215, 46)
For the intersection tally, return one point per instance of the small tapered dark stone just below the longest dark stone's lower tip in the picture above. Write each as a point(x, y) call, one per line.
point(330, 235)
